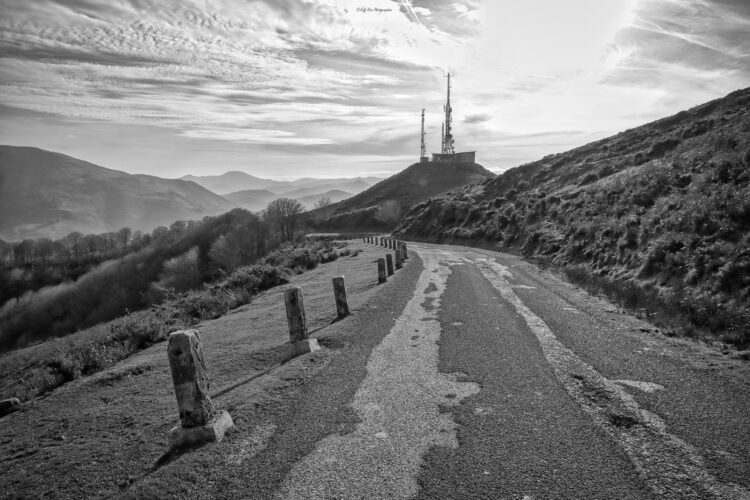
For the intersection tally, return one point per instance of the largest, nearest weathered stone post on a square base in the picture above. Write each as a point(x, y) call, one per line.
point(200, 422)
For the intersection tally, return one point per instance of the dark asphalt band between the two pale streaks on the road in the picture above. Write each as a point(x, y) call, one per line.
point(521, 436)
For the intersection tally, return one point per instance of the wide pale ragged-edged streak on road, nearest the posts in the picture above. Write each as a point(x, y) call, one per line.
point(398, 403)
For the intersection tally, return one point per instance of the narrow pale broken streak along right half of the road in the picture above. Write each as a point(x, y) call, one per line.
point(670, 466)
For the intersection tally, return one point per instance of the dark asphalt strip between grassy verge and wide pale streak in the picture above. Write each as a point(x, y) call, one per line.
point(322, 405)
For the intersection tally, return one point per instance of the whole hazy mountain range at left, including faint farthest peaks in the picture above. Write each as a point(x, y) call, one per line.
point(48, 194)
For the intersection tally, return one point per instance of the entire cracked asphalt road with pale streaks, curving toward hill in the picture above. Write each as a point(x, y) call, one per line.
point(479, 376)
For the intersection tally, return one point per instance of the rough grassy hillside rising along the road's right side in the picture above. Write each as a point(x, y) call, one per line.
point(657, 217)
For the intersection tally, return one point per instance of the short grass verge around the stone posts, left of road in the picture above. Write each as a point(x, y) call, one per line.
point(99, 434)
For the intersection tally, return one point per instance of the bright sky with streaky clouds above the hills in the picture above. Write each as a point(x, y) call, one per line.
point(334, 88)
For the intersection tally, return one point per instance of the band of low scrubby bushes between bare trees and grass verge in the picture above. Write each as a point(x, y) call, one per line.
point(39, 369)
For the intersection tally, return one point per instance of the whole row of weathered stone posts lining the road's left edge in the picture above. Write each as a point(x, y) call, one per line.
point(200, 420)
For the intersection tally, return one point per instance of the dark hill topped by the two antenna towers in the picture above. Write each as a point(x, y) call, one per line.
point(381, 206)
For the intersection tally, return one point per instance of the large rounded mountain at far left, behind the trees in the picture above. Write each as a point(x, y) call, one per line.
point(46, 194)
